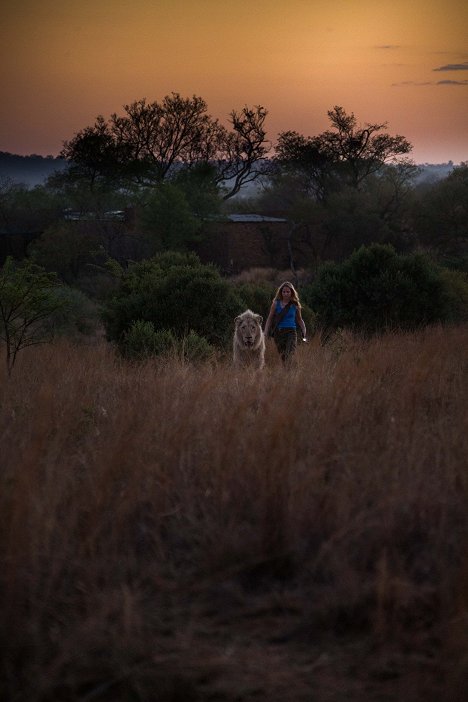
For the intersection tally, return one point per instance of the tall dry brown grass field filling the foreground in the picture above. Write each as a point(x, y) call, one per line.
point(178, 533)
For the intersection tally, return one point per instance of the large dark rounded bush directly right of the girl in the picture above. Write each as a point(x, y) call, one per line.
point(376, 289)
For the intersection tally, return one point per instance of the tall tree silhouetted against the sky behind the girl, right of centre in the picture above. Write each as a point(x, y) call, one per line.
point(343, 188)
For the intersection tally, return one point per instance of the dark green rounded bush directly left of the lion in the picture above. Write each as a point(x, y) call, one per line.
point(174, 291)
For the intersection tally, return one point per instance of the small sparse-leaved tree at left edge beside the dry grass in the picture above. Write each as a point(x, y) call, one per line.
point(27, 301)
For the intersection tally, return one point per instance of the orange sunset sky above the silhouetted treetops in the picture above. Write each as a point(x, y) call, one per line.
point(403, 62)
